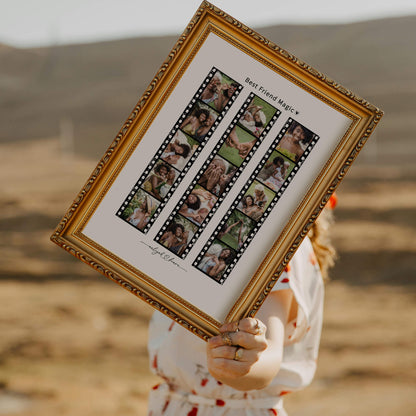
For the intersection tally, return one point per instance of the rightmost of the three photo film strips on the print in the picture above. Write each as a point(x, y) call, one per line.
point(256, 201)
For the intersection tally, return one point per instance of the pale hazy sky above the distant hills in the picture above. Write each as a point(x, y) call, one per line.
point(29, 23)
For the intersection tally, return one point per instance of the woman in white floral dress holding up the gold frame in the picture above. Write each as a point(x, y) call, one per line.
point(255, 362)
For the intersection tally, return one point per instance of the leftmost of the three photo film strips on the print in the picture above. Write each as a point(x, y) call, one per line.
point(179, 150)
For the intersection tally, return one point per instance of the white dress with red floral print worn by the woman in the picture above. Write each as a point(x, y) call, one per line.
point(179, 357)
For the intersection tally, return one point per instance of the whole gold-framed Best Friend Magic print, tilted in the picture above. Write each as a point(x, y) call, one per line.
point(217, 175)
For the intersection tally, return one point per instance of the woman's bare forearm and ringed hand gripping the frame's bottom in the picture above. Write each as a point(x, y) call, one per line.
point(261, 354)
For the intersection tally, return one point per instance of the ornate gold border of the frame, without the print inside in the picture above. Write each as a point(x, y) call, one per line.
point(209, 19)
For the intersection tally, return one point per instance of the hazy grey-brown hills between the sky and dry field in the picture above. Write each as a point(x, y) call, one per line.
point(97, 85)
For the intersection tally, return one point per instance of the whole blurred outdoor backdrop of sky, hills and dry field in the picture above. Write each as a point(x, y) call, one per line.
point(74, 343)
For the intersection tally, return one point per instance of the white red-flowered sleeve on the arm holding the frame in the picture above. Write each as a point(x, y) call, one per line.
point(303, 277)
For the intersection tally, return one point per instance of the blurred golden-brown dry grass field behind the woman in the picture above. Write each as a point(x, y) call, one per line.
point(73, 343)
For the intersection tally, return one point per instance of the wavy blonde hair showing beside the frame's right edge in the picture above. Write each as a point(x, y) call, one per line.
point(321, 243)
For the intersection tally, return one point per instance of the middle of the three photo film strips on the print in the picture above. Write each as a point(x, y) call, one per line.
point(216, 177)
